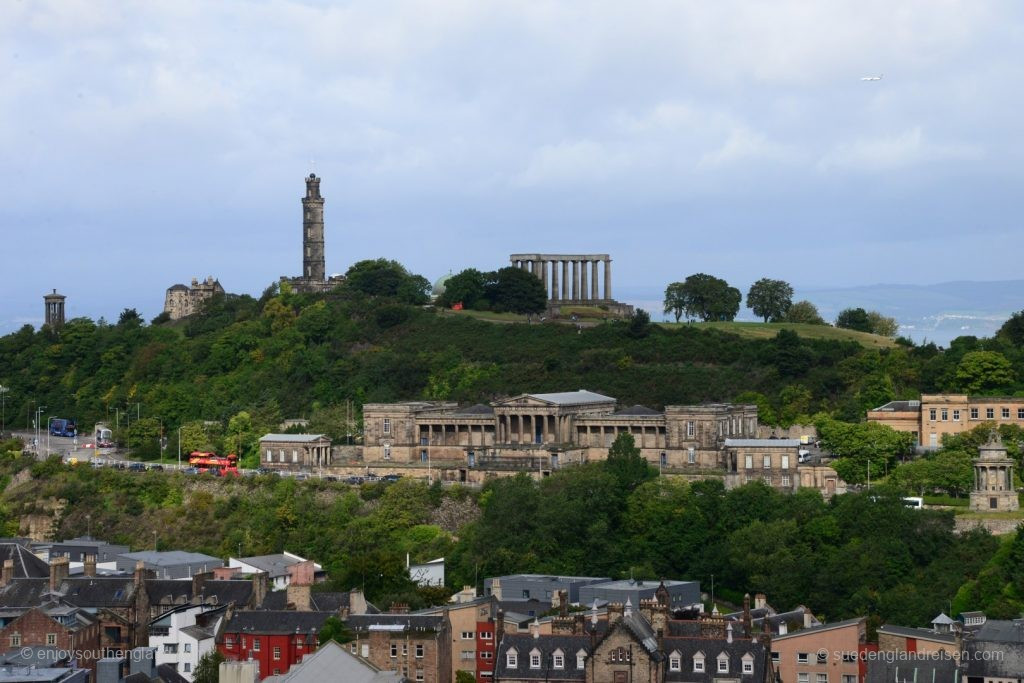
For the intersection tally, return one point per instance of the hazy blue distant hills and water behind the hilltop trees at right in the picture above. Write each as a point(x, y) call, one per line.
point(926, 313)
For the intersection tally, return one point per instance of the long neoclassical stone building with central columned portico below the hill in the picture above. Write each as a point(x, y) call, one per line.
point(541, 432)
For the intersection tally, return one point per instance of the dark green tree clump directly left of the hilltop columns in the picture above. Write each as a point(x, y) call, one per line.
point(508, 290)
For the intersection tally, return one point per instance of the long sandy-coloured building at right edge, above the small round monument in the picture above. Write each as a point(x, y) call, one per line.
point(937, 415)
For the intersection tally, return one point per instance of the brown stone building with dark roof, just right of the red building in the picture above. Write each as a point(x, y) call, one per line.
point(418, 647)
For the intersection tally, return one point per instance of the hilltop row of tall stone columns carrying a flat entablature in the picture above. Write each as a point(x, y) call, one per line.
point(574, 274)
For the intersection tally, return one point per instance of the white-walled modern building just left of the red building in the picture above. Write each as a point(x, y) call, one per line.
point(182, 636)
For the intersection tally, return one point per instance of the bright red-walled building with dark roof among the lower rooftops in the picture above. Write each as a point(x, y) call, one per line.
point(275, 639)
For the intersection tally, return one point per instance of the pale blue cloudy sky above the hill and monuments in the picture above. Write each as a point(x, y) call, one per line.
point(145, 144)
